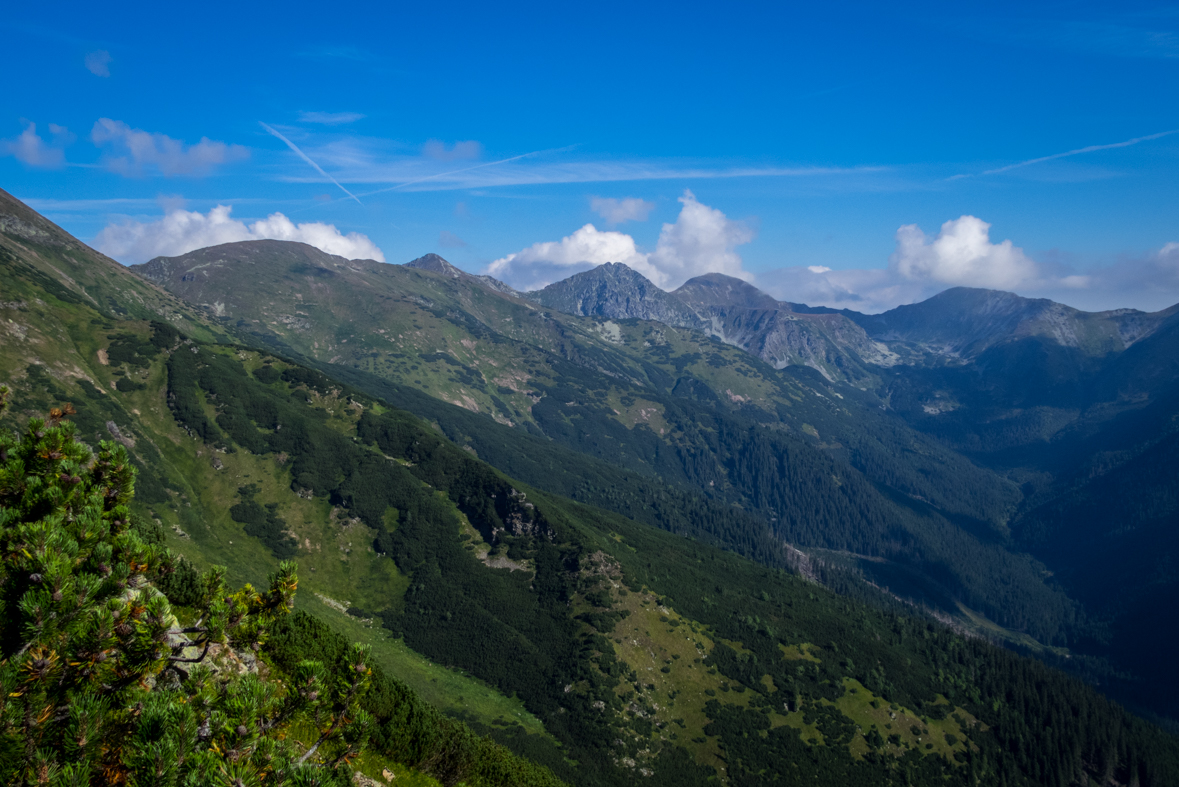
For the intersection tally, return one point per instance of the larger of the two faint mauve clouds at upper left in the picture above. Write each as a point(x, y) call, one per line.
point(135, 153)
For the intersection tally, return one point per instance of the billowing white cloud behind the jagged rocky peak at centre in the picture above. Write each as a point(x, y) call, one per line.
point(702, 241)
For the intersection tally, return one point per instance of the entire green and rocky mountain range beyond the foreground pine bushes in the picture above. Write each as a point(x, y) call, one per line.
point(719, 540)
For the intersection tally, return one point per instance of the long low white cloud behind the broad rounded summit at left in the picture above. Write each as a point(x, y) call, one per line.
point(181, 232)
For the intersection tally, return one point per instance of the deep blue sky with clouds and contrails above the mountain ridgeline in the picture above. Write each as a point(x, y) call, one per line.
point(789, 146)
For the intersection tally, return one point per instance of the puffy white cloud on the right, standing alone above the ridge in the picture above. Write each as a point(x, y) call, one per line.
point(961, 255)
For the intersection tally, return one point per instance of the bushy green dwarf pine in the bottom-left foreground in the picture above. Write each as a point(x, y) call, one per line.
point(103, 683)
